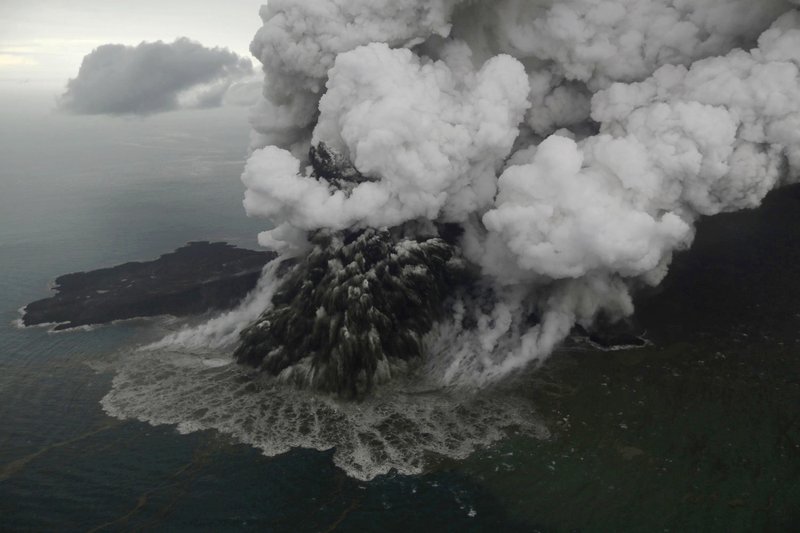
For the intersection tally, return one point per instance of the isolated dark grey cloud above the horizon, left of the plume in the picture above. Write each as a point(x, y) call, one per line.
point(153, 77)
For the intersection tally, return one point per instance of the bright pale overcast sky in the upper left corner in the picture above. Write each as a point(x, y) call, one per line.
point(42, 42)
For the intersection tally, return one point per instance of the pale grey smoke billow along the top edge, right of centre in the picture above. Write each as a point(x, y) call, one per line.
point(601, 42)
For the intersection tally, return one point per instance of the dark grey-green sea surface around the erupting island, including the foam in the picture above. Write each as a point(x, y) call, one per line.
point(700, 431)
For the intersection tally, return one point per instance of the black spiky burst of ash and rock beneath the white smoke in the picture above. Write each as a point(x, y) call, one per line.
point(357, 303)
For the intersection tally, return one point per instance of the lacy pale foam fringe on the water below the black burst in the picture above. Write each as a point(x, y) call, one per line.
point(399, 428)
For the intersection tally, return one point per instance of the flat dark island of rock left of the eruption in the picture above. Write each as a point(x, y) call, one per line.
point(191, 280)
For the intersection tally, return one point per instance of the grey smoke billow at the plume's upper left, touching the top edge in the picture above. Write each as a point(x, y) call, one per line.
point(300, 41)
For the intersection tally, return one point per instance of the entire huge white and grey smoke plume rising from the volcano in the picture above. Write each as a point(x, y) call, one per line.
point(574, 142)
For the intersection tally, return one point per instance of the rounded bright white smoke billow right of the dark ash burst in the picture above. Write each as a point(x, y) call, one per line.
point(562, 221)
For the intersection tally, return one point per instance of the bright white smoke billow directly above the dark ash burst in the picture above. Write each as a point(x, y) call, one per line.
point(434, 136)
